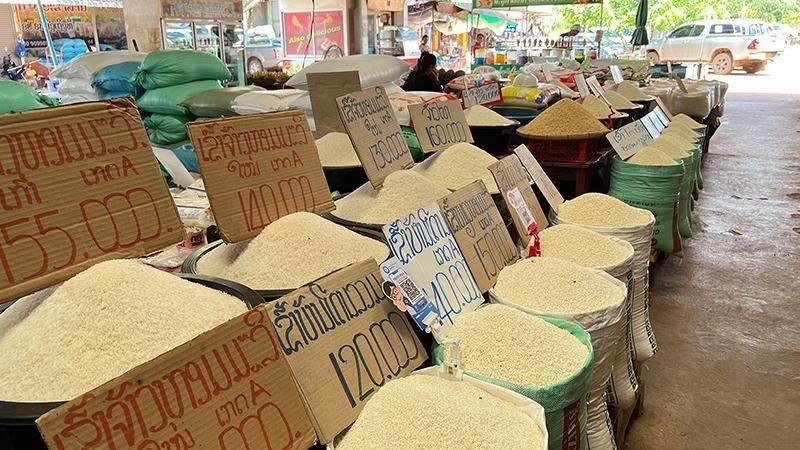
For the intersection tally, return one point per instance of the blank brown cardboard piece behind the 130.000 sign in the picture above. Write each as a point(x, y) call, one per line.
point(323, 89)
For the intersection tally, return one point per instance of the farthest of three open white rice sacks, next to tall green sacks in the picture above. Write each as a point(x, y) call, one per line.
point(611, 217)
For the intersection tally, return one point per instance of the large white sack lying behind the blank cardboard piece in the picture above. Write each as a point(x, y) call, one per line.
point(373, 70)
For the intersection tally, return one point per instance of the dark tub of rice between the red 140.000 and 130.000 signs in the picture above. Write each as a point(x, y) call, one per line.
point(340, 163)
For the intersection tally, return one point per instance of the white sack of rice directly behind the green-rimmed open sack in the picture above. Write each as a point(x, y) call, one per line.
point(591, 298)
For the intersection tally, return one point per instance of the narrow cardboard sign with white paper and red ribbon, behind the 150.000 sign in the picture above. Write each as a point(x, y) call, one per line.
point(514, 184)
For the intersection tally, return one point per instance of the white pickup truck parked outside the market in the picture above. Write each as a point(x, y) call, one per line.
point(726, 44)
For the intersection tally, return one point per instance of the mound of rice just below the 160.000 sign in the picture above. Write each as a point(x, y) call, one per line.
point(458, 166)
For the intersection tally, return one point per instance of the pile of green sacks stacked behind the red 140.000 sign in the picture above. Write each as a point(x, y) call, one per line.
point(170, 78)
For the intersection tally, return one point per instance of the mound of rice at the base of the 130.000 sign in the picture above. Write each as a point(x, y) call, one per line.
point(401, 193)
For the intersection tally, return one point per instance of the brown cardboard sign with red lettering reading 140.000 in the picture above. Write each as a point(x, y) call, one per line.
point(259, 168)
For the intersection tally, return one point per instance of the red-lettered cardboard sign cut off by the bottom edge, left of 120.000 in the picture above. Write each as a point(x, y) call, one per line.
point(230, 387)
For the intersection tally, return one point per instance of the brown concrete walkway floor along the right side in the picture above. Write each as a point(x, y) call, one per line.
point(727, 315)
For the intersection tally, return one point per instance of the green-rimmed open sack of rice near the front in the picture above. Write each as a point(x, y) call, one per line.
point(546, 359)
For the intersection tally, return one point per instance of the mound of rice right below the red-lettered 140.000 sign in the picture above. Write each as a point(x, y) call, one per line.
point(291, 252)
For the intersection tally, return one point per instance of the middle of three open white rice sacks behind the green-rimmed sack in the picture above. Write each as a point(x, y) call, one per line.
point(614, 256)
